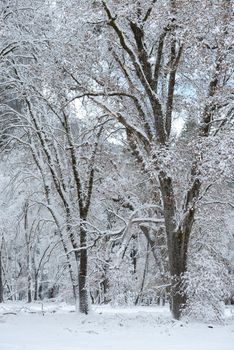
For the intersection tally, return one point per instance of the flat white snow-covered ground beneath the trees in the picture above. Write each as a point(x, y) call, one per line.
point(53, 326)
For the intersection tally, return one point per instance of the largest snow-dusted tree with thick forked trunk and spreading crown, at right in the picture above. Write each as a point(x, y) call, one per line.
point(144, 77)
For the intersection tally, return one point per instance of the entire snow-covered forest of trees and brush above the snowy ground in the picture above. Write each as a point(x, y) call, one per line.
point(116, 152)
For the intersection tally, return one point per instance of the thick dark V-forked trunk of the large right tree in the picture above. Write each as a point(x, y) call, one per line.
point(178, 236)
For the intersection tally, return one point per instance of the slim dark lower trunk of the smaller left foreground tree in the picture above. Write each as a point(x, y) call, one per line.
point(83, 294)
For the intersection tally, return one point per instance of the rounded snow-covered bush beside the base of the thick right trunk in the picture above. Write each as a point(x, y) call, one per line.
point(207, 288)
